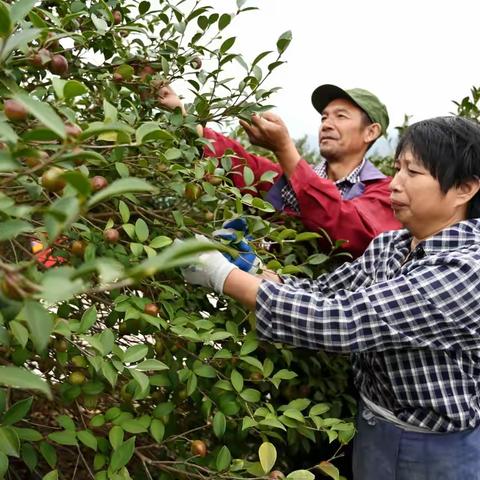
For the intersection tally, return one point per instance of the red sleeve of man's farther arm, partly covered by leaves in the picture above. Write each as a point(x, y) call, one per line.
point(259, 165)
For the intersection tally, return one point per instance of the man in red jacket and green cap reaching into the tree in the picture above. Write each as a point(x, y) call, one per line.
point(345, 194)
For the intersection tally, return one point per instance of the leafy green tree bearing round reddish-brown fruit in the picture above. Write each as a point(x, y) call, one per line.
point(111, 367)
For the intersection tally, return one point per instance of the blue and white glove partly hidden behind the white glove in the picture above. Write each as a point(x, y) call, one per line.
point(235, 234)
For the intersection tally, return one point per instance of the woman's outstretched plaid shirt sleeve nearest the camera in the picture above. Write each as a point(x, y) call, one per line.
point(431, 307)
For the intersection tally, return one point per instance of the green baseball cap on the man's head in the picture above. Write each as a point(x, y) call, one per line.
point(367, 101)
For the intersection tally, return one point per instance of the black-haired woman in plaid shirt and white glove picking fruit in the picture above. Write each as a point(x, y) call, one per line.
point(407, 311)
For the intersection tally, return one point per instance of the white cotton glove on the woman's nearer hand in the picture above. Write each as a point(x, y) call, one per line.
point(211, 271)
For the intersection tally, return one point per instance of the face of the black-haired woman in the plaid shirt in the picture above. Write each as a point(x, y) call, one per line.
point(417, 200)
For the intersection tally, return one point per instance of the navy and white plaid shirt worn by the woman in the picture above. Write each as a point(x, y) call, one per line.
point(411, 319)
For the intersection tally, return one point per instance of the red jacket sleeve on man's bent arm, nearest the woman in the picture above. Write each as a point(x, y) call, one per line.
point(358, 220)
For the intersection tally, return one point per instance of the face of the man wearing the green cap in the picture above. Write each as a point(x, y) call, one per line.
point(343, 132)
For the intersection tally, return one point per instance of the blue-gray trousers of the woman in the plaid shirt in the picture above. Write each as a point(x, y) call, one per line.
point(383, 451)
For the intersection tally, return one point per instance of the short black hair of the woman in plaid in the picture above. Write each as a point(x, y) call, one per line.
point(449, 147)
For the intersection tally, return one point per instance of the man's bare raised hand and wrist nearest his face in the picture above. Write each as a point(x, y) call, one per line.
point(268, 130)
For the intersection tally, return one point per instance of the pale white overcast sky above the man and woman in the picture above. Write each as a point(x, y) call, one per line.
point(415, 55)
